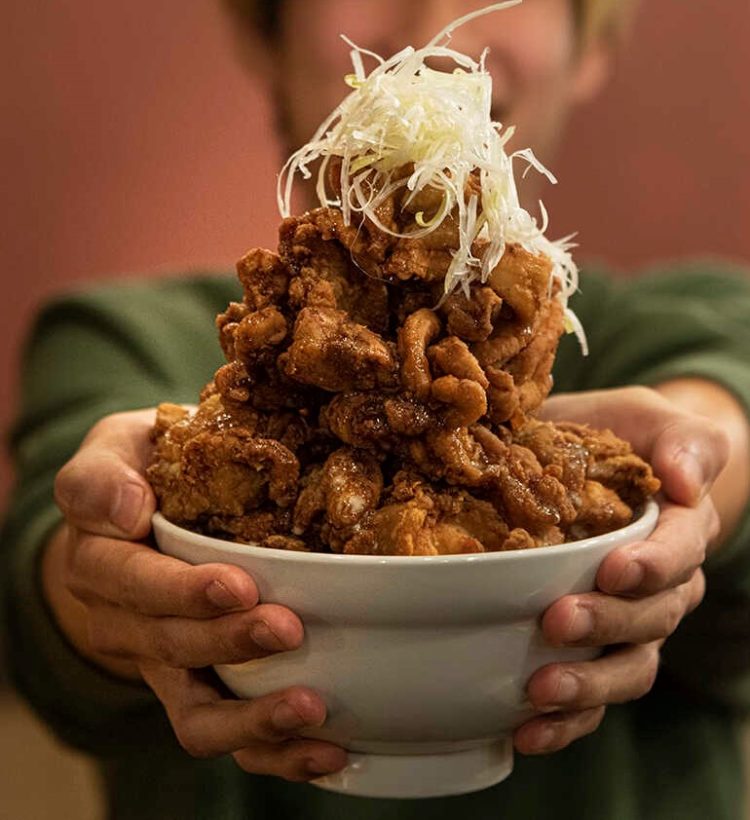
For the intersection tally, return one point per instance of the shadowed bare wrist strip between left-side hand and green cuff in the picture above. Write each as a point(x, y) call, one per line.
point(69, 613)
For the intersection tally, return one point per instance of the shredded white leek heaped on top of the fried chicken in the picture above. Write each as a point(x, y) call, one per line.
point(406, 113)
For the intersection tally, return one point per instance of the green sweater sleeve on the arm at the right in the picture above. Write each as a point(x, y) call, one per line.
point(691, 320)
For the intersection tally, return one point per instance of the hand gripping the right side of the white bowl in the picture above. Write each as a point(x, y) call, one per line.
point(644, 589)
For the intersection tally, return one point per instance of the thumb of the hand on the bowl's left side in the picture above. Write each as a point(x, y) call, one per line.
point(102, 489)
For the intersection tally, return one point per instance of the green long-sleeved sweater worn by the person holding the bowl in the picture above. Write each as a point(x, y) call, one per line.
point(673, 754)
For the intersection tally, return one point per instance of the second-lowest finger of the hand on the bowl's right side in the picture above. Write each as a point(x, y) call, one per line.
point(619, 677)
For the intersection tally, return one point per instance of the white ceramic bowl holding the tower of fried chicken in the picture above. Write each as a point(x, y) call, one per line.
point(422, 661)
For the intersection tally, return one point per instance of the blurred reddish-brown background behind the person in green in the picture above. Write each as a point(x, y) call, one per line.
point(133, 141)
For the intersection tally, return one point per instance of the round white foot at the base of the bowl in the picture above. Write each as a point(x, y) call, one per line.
point(426, 775)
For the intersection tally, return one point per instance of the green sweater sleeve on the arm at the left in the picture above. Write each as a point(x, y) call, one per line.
point(117, 348)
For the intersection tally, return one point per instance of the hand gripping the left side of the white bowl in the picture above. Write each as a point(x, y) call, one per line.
point(145, 616)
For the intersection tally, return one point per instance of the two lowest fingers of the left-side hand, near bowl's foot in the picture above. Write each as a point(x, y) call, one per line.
point(260, 732)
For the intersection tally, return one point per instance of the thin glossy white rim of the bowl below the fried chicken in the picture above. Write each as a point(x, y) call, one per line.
point(645, 520)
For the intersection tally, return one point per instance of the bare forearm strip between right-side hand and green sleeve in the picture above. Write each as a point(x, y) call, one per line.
point(731, 490)
